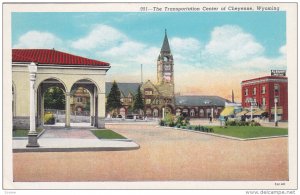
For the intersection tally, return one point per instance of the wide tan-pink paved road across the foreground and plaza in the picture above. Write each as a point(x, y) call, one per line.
point(165, 154)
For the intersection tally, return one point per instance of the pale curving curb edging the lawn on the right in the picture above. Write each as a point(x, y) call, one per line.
point(224, 136)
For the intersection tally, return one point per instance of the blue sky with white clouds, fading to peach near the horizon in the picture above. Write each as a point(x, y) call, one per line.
point(203, 43)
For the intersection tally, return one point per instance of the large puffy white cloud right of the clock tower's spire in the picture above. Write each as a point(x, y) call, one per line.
point(231, 43)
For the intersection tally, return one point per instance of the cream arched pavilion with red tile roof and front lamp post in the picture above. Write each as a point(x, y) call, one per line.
point(36, 70)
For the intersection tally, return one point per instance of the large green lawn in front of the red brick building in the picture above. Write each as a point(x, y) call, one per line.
point(249, 131)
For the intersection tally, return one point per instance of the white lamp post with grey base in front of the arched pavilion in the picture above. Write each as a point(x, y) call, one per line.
point(32, 134)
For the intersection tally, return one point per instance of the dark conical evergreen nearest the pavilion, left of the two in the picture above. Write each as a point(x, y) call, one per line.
point(114, 98)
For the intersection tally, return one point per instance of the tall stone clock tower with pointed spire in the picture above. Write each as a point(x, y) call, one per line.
point(165, 69)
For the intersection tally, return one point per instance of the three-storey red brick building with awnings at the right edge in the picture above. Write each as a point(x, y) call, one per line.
point(263, 92)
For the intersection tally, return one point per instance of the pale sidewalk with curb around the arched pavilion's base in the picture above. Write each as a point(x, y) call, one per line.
point(72, 140)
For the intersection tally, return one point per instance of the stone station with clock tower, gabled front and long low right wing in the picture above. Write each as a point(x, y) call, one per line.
point(160, 96)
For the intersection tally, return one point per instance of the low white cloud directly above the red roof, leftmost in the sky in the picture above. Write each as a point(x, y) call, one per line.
point(38, 40)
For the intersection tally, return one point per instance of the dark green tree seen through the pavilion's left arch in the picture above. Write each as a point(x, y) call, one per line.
point(55, 98)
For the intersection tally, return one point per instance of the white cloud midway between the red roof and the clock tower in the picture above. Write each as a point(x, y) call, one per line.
point(101, 36)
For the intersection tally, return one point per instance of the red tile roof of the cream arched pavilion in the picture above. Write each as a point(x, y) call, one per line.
point(51, 56)
